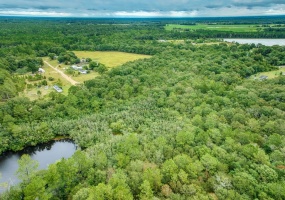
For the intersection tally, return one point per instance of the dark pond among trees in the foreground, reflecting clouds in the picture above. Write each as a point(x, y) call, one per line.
point(45, 154)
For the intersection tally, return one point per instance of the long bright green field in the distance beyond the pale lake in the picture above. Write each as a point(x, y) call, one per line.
point(217, 27)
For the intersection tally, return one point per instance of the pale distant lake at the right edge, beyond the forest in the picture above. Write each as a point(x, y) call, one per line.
point(266, 42)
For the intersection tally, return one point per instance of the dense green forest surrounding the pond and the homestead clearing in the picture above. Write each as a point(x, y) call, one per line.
point(186, 123)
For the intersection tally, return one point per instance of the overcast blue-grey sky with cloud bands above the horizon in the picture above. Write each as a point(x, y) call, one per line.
point(141, 8)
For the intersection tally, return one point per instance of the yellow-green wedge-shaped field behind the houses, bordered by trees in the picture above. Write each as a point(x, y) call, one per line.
point(110, 58)
